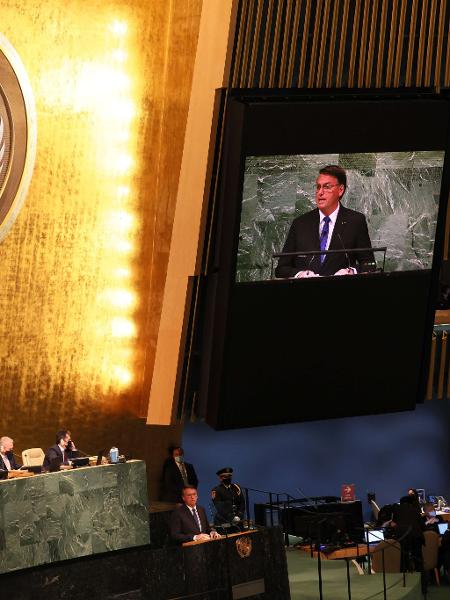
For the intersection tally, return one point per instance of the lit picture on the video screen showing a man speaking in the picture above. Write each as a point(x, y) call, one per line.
point(396, 196)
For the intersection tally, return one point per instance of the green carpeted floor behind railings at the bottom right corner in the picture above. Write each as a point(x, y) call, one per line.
point(304, 582)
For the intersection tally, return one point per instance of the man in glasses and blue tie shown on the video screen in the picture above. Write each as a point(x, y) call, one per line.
point(330, 226)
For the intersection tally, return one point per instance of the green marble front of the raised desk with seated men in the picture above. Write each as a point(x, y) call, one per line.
point(59, 516)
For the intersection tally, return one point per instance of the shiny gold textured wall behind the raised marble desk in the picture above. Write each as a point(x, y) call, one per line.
point(82, 270)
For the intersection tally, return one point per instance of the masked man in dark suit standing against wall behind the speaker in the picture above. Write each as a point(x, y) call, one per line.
point(177, 474)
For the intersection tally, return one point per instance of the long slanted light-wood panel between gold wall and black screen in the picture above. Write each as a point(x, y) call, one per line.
point(210, 73)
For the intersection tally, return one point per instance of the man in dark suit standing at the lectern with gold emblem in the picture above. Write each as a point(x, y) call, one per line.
point(188, 522)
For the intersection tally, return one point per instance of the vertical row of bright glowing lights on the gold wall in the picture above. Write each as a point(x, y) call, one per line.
point(119, 296)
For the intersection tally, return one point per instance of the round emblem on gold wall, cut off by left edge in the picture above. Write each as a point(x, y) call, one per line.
point(18, 133)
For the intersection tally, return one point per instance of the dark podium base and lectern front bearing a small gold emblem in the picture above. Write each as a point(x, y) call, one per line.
point(239, 566)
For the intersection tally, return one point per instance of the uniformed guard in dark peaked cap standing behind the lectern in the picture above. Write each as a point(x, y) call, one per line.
point(228, 499)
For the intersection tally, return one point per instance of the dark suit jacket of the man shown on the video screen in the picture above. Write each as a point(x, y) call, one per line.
point(350, 231)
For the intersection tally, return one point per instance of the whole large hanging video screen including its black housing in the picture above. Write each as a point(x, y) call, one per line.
point(288, 338)
